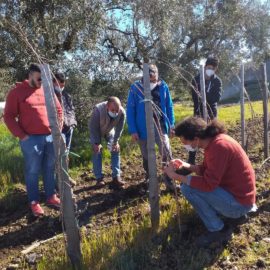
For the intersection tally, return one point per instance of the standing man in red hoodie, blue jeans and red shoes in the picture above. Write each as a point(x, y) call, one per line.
point(26, 117)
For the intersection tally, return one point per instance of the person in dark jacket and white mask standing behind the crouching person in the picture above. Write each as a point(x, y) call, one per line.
point(213, 89)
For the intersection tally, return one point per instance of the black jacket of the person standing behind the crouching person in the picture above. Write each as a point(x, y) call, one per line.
point(213, 89)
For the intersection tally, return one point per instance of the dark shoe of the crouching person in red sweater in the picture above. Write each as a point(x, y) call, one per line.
point(219, 237)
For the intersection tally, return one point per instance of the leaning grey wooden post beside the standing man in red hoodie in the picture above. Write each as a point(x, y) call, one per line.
point(67, 202)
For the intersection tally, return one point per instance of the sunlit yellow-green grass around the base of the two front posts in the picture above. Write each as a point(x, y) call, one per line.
point(130, 243)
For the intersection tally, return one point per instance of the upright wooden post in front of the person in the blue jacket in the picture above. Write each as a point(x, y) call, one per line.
point(152, 165)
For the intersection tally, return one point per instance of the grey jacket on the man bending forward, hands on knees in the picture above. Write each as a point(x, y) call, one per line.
point(101, 124)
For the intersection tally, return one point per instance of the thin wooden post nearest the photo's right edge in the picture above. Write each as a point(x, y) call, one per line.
point(265, 112)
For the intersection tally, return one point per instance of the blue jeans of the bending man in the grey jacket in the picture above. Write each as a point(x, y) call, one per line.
point(115, 160)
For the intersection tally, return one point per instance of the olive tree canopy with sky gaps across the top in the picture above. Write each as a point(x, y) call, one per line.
point(108, 40)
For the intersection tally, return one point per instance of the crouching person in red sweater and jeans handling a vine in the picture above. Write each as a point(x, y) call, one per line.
point(224, 184)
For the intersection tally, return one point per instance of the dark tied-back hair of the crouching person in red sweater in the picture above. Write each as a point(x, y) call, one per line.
point(192, 127)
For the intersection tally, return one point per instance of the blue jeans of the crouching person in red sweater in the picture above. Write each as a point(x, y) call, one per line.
point(209, 205)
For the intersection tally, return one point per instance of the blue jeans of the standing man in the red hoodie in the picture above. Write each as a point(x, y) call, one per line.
point(39, 158)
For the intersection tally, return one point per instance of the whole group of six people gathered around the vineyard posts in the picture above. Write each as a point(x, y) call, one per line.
point(224, 184)
